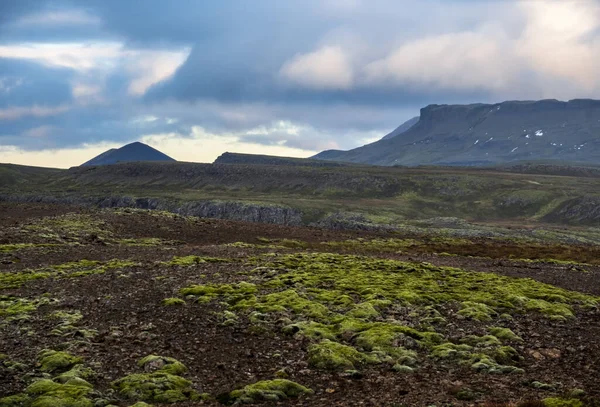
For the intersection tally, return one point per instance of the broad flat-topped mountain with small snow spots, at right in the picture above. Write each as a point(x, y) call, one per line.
point(489, 134)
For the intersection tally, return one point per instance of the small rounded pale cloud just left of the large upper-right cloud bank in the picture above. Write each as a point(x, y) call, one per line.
point(326, 68)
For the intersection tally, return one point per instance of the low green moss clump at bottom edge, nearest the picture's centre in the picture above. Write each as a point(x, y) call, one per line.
point(268, 390)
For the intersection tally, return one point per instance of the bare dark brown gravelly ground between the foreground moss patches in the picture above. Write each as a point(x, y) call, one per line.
point(123, 307)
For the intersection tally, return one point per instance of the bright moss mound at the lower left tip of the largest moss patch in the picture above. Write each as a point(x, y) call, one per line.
point(336, 356)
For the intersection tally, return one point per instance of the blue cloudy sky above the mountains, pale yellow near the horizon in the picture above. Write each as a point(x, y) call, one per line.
point(196, 78)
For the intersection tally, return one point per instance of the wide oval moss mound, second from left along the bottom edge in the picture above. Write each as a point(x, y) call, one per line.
point(154, 387)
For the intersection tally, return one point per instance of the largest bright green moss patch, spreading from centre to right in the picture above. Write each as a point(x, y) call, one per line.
point(346, 305)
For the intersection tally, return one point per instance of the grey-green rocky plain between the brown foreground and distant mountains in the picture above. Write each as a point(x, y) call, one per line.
point(365, 197)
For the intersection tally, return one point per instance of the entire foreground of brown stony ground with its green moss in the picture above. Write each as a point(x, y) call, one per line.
point(105, 307)
